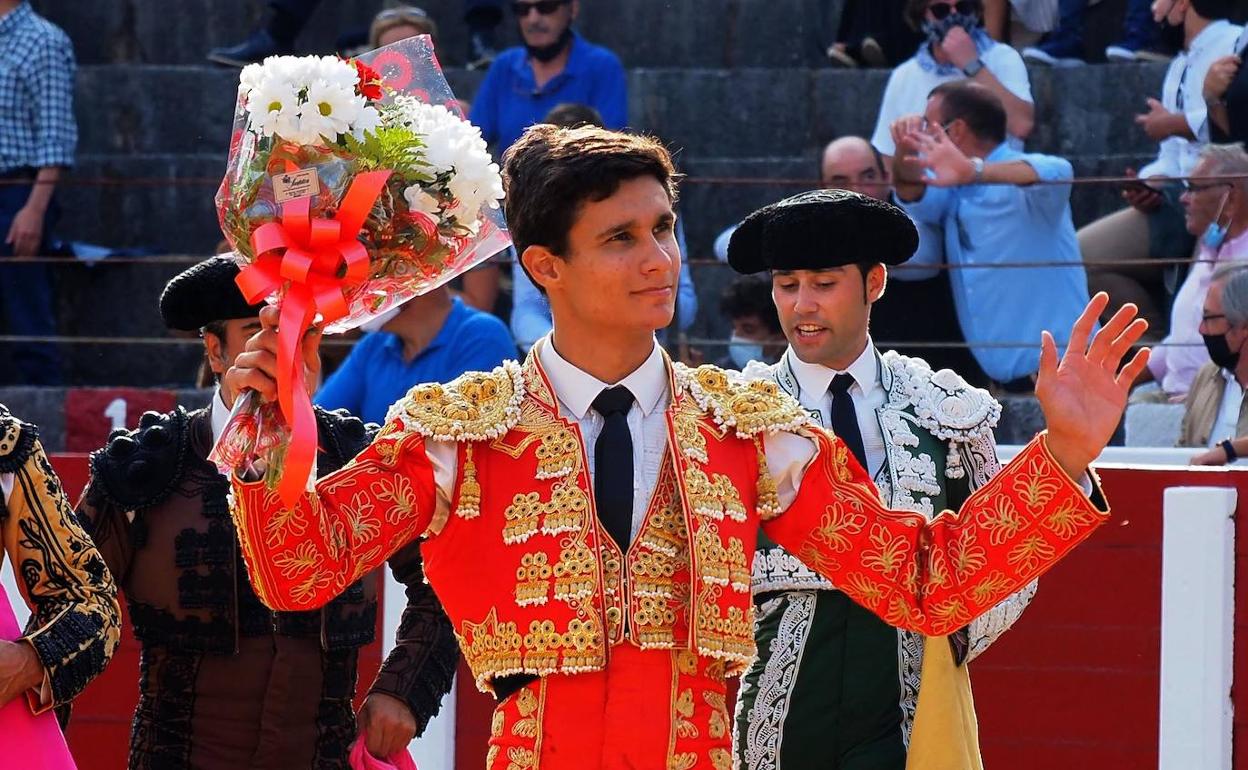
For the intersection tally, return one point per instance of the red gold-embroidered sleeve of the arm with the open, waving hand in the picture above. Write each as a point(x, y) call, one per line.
point(935, 577)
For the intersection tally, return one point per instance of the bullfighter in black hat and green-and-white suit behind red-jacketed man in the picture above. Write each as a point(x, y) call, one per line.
point(833, 687)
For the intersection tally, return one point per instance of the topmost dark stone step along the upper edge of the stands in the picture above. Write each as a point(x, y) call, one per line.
point(643, 33)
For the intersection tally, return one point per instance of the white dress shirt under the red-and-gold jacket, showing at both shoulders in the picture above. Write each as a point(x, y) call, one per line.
point(788, 454)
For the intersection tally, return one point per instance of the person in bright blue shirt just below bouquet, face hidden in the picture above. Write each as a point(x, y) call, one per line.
point(431, 339)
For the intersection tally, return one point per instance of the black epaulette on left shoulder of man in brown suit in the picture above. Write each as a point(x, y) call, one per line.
point(140, 469)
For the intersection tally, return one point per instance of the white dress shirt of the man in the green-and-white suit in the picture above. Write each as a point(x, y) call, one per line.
point(868, 394)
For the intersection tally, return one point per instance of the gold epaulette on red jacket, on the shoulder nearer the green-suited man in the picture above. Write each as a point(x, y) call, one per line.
point(749, 406)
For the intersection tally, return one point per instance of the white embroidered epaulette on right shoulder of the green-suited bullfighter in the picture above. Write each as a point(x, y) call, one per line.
point(947, 406)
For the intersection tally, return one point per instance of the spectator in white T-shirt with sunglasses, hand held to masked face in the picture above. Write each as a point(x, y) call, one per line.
point(957, 47)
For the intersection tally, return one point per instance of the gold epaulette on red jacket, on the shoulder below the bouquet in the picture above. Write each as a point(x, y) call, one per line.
point(477, 406)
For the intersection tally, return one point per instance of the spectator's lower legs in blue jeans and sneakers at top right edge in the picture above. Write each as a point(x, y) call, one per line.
point(1064, 47)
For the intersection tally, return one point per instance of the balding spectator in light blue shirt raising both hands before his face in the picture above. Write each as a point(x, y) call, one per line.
point(955, 168)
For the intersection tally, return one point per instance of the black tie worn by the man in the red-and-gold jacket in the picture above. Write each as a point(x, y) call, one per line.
point(613, 465)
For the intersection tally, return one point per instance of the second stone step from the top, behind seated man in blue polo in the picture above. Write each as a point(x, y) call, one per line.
point(747, 113)
